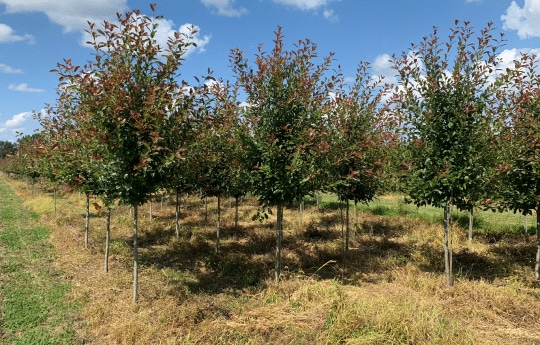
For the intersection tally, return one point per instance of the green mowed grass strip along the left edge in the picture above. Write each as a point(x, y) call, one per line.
point(33, 304)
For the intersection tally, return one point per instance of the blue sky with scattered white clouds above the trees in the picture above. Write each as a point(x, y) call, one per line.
point(37, 34)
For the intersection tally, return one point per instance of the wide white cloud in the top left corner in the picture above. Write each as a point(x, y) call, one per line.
point(71, 15)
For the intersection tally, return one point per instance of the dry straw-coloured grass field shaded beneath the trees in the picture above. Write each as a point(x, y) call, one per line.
point(390, 290)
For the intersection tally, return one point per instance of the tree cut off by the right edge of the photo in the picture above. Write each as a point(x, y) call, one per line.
point(519, 169)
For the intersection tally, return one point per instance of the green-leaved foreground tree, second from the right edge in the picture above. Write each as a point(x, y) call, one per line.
point(446, 90)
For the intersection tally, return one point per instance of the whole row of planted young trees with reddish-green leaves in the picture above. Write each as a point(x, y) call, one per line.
point(455, 130)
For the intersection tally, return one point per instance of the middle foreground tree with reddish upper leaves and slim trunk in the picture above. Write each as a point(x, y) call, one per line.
point(285, 95)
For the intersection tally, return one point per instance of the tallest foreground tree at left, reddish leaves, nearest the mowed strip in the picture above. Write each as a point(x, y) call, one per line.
point(126, 93)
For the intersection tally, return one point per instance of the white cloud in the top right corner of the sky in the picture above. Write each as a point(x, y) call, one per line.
point(525, 20)
